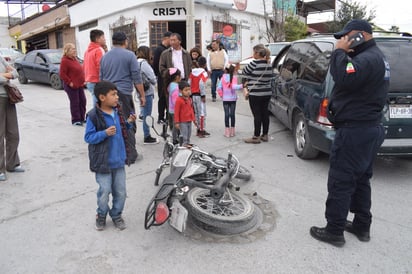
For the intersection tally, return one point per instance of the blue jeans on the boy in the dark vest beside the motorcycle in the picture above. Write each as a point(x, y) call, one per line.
point(114, 183)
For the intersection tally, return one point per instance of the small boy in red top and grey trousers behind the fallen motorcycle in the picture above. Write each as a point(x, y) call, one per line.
point(184, 114)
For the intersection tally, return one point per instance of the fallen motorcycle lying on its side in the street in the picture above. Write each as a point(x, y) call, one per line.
point(200, 187)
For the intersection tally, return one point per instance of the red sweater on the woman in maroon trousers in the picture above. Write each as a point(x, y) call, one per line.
point(71, 72)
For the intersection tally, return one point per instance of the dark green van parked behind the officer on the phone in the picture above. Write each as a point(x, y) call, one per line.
point(303, 84)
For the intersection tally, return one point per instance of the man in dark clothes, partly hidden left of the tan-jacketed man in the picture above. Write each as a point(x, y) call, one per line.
point(161, 90)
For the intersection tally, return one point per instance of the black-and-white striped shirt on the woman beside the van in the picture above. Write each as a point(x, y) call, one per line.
point(259, 75)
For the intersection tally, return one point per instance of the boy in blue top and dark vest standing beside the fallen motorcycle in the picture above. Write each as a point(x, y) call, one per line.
point(106, 134)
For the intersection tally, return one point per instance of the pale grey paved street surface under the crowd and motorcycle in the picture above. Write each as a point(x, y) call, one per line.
point(47, 213)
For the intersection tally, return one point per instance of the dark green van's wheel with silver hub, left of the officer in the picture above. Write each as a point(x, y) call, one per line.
point(303, 145)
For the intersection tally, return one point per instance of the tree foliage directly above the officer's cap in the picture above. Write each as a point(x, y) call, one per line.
point(349, 10)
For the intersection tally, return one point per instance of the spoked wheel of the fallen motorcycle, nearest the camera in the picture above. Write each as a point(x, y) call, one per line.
point(231, 217)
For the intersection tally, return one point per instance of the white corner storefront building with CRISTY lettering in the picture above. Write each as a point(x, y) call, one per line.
point(239, 24)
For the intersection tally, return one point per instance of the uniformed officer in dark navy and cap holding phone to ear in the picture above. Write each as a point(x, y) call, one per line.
point(361, 76)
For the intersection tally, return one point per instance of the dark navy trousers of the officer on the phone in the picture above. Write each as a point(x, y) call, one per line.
point(351, 160)
